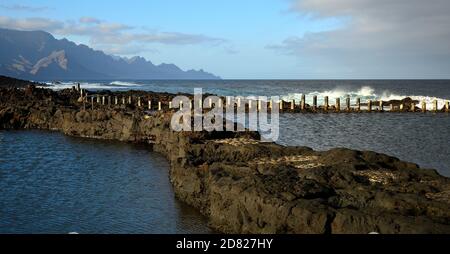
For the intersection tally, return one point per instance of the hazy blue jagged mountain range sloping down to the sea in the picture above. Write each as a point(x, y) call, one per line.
point(37, 55)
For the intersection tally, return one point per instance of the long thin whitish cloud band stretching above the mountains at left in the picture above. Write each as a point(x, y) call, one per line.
point(108, 35)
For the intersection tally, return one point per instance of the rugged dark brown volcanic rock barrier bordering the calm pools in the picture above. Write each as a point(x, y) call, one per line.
point(245, 186)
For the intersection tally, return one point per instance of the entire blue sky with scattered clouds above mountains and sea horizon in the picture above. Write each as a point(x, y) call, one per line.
point(254, 39)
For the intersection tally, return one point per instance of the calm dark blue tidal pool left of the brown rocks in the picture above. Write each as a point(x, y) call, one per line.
point(52, 183)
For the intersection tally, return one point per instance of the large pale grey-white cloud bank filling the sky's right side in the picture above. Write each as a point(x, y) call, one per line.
point(407, 38)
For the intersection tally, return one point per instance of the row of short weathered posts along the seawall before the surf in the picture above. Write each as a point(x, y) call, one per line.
point(371, 105)
